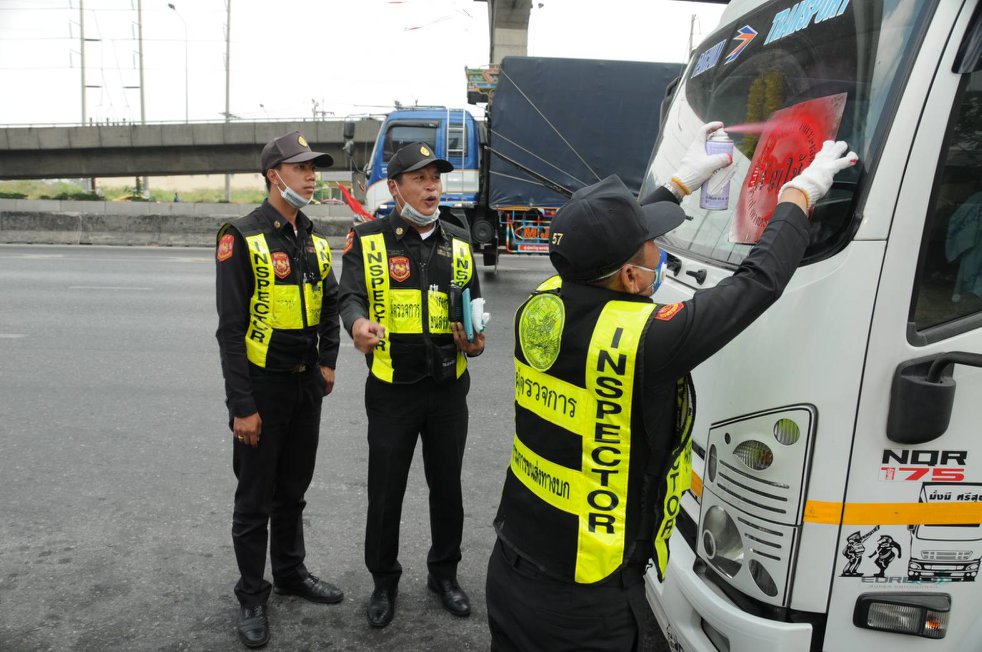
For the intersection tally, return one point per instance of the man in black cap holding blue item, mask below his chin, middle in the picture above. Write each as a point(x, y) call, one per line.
point(400, 275)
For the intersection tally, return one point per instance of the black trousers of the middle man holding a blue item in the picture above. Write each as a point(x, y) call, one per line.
point(397, 416)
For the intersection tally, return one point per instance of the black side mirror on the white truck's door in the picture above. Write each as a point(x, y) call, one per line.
point(921, 397)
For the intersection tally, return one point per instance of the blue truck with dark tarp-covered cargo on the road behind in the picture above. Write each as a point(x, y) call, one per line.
point(550, 126)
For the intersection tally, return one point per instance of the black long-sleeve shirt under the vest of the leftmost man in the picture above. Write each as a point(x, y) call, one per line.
point(234, 288)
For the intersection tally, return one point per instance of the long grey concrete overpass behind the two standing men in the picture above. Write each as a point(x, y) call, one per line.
point(163, 149)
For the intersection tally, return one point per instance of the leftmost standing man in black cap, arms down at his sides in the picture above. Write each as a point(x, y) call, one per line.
point(278, 334)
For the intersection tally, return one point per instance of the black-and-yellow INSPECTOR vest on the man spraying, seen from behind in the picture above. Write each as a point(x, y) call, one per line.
point(576, 486)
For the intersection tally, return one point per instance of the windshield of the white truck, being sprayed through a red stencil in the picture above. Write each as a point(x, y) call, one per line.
point(783, 78)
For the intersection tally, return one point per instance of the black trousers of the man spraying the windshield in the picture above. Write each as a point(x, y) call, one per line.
point(529, 611)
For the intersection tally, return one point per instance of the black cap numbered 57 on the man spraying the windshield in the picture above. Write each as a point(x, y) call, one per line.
point(602, 226)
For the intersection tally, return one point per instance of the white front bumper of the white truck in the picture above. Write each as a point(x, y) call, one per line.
point(685, 601)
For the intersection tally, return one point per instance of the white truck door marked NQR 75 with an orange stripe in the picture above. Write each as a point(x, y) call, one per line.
point(911, 515)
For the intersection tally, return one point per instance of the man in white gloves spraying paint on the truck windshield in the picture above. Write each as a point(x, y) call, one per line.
point(604, 405)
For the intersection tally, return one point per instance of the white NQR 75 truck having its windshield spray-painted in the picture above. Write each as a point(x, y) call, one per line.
point(820, 428)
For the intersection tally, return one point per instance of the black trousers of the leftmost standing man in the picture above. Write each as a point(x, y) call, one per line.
point(273, 478)
